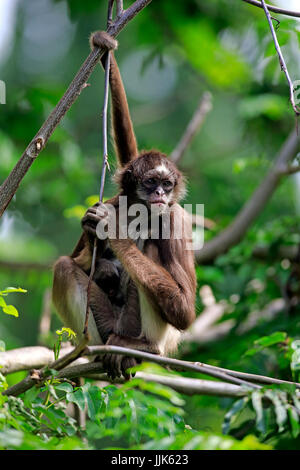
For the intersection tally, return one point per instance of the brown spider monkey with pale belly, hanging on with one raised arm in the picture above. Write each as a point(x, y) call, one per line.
point(143, 292)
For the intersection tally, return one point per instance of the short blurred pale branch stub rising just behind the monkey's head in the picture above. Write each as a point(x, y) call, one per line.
point(197, 120)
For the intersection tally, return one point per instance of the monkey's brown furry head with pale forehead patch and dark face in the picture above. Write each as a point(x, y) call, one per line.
point(152, 179)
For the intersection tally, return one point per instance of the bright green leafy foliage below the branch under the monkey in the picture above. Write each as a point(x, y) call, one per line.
point(137, 415)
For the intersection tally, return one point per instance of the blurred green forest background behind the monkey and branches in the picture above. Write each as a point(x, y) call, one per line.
point(170, 54)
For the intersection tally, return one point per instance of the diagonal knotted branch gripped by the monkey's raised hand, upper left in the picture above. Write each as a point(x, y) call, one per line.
point(12, 182)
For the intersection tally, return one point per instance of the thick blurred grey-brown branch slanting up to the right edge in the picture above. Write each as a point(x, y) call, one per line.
point(235, 232)
